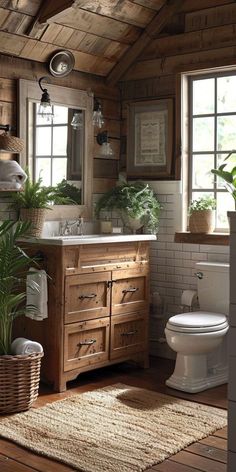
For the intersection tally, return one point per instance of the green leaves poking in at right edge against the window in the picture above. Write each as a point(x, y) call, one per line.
point(227, 172)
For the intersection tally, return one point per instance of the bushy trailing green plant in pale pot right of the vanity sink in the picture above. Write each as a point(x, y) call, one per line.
point(136, 202)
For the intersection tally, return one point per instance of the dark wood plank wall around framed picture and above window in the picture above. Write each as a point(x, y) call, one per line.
point(208, 41)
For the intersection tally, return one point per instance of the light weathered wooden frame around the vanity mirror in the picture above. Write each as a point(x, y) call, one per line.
point(29, 91)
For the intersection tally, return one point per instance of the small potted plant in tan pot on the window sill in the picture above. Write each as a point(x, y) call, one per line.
point(201, 215)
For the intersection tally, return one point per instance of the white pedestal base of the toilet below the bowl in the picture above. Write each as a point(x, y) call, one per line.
point(192, 378)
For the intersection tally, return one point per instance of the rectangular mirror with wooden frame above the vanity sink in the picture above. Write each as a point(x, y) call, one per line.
point(56, 150)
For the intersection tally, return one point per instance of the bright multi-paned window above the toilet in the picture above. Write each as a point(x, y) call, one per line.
point(212, 135)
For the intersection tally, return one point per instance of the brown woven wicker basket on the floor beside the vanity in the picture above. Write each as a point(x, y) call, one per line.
point(19, 382)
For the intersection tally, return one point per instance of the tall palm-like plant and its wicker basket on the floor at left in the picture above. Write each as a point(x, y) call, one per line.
point(19, 374)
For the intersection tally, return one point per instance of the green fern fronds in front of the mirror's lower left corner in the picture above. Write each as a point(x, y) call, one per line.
point(34, 195)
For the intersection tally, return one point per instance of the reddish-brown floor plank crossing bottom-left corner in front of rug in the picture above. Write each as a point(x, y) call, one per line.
point(24, 456)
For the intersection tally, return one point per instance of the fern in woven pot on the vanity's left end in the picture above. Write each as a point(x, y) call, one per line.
point(33, 201)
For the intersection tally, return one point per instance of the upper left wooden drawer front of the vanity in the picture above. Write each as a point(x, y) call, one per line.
point(87, 297)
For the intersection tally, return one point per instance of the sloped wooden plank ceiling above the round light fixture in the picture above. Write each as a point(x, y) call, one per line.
point(105, 36)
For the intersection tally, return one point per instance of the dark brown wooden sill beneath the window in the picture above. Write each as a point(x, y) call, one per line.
point(219, 239)
